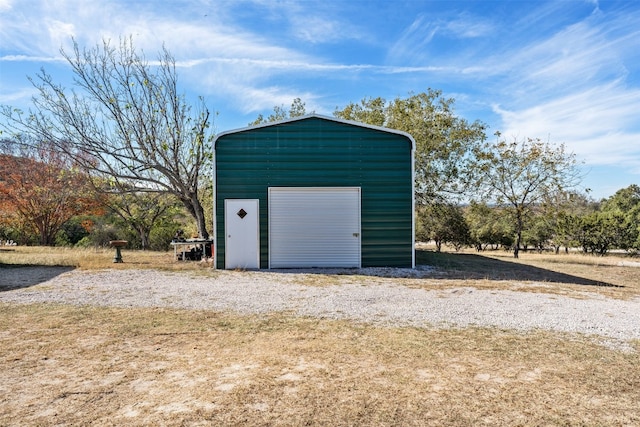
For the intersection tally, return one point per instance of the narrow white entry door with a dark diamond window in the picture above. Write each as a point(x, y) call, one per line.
point(242, 233)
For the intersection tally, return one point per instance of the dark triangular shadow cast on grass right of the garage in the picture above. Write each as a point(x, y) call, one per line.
point(471, 266)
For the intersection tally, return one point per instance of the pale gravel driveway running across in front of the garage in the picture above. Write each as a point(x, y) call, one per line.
point(374, 299)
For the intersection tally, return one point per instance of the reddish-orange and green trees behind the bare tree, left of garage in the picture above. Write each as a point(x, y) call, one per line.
point(45, 199)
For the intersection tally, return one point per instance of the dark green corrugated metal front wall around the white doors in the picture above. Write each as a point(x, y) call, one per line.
point(319, 152)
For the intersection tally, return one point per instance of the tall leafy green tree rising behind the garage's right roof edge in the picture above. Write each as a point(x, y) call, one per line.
point(443, 140)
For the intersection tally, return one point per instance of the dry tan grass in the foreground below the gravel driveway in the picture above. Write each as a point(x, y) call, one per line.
point(90, 366)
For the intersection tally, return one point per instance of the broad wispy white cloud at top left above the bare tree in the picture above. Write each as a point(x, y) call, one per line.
point(51, 26)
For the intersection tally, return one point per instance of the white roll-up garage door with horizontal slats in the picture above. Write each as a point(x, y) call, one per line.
point(314, 227)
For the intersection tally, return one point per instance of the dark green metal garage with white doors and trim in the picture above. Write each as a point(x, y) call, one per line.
point(313, 191)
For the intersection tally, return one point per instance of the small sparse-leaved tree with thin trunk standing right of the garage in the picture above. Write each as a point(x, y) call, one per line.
point(519, 175)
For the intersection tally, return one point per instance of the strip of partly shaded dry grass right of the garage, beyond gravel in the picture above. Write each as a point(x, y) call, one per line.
point(571, 274)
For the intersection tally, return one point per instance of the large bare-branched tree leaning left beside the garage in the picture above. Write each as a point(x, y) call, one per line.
point(125, 119)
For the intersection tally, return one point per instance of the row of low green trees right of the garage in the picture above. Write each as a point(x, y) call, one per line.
point(567, 221)
